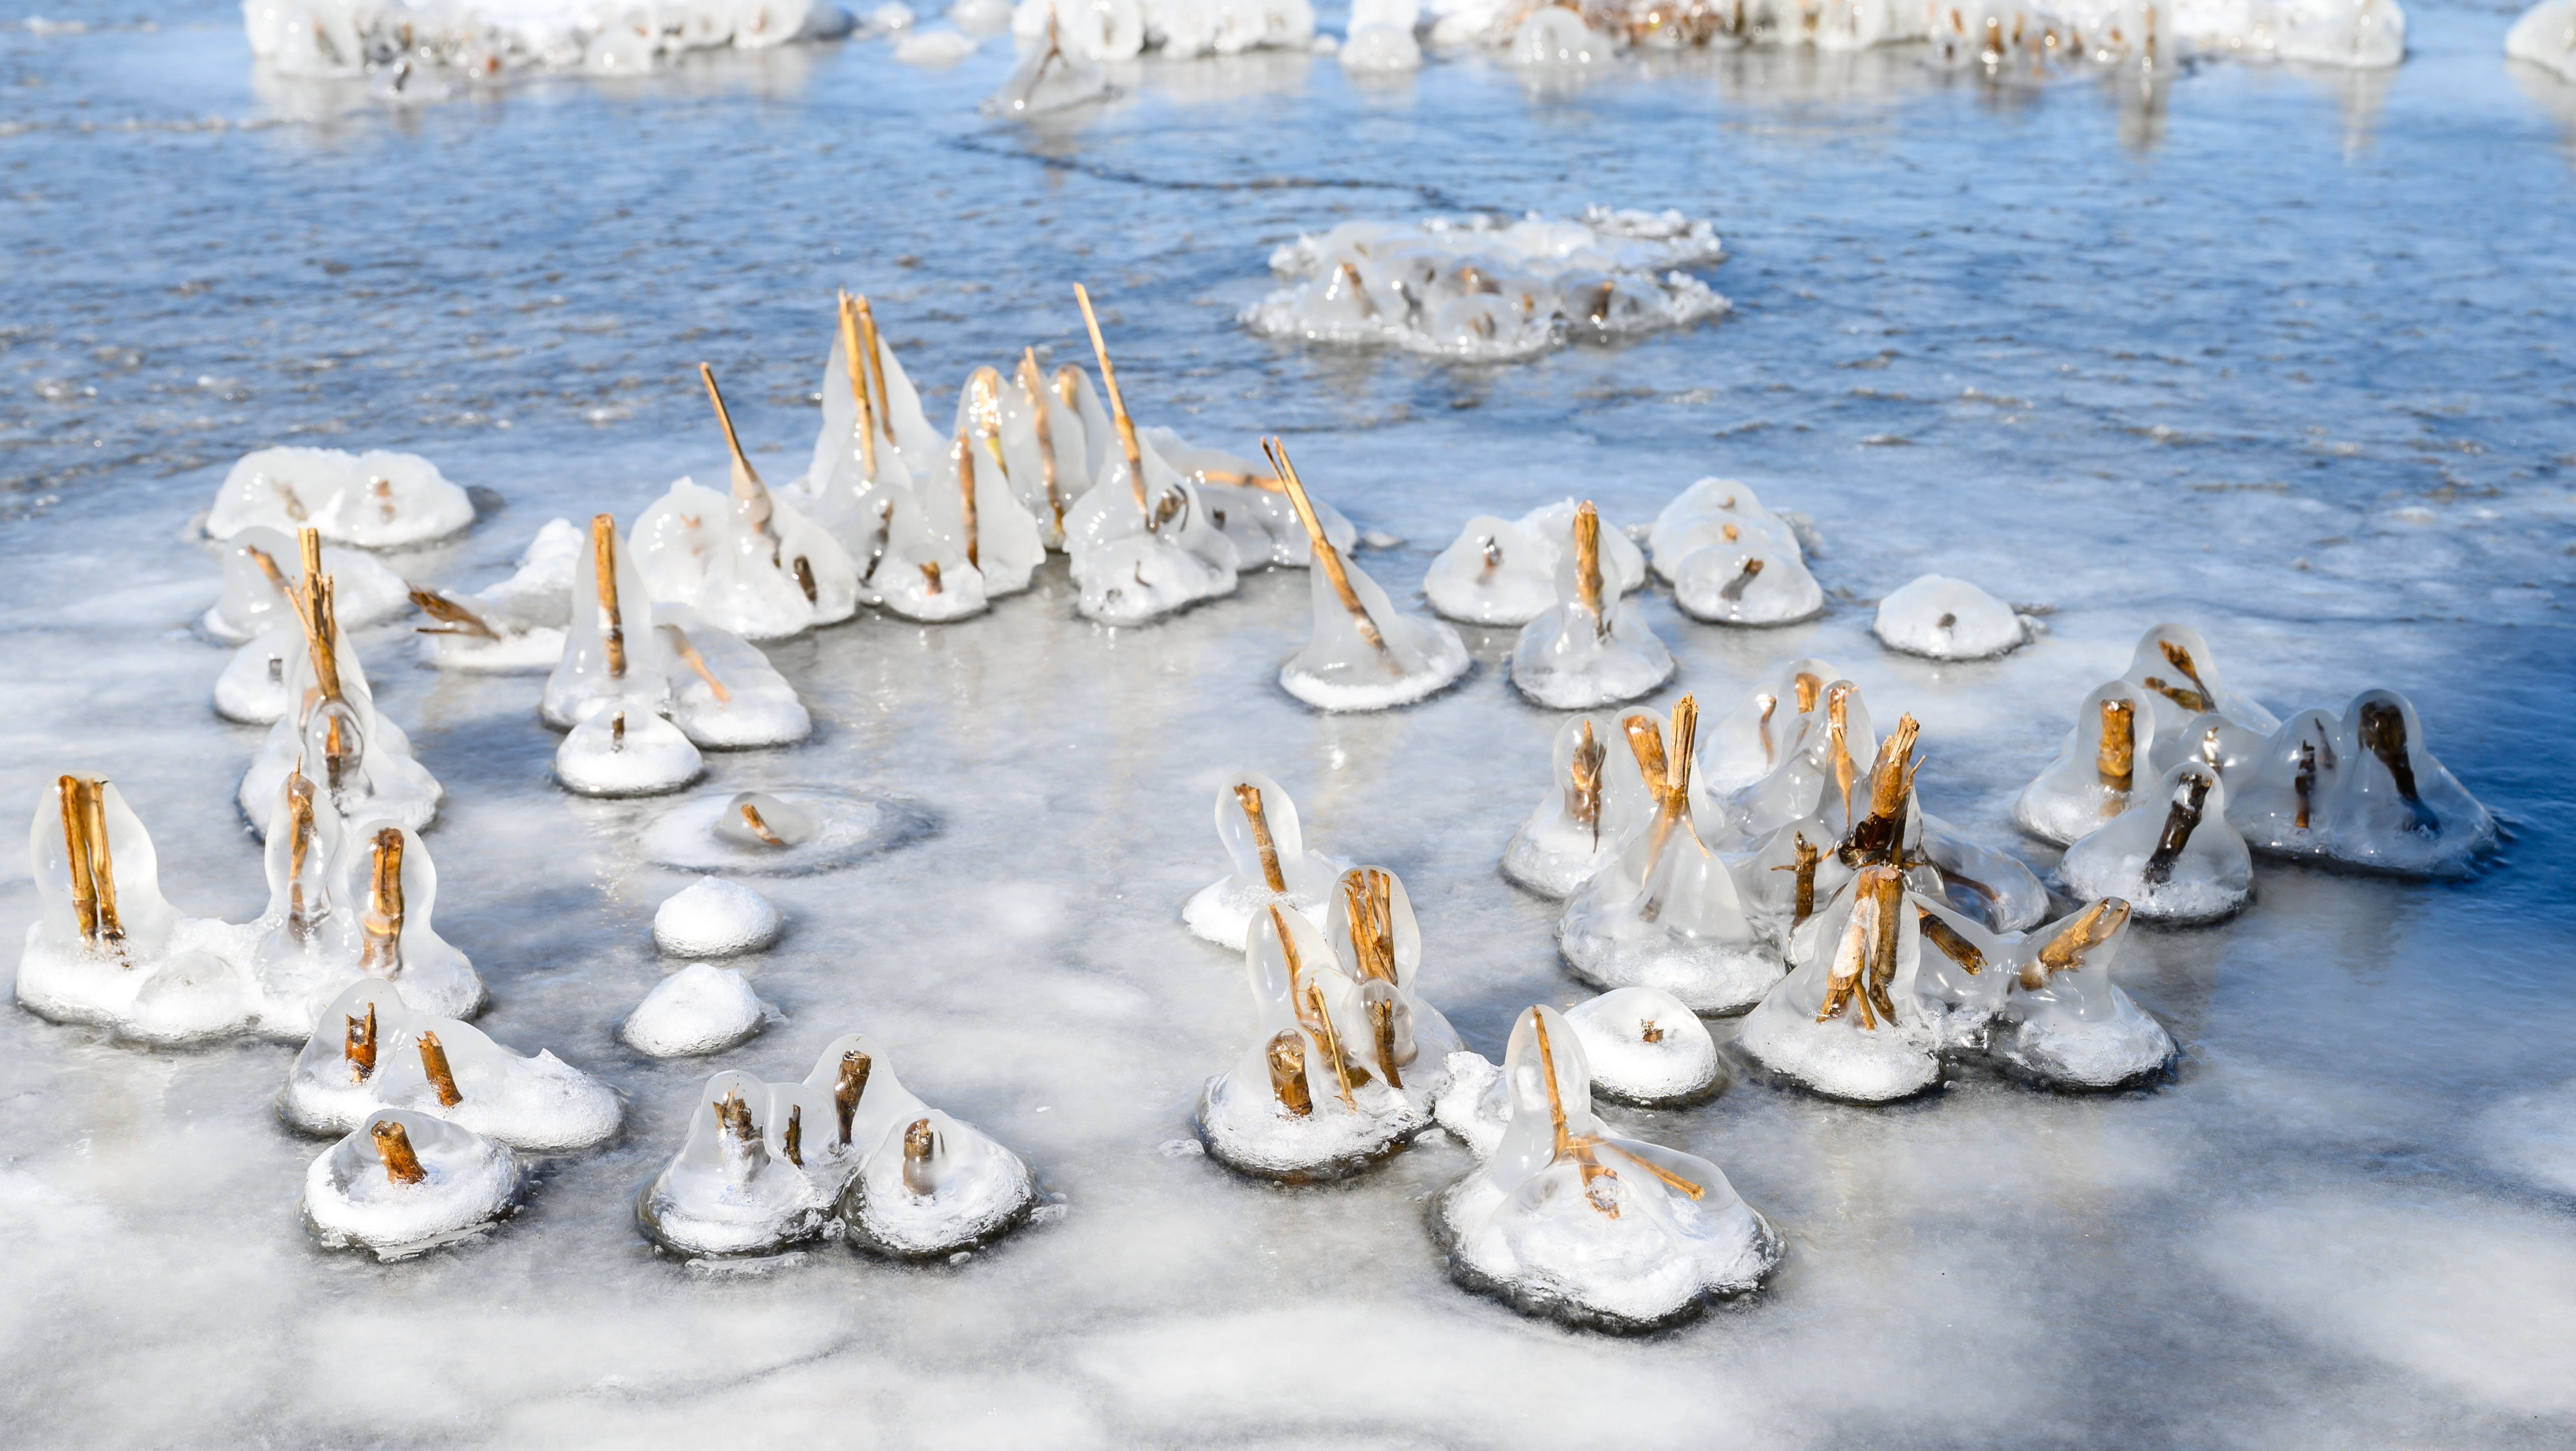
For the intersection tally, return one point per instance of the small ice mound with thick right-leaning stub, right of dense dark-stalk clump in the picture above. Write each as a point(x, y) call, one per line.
point(2070, 1024)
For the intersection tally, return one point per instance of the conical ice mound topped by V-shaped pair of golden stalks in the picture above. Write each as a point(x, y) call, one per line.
point(1665, 911)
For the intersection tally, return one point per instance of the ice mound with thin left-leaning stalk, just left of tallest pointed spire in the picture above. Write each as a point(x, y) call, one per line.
point(748, 561)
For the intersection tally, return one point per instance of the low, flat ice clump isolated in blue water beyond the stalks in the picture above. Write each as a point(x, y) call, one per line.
point(1493, 290)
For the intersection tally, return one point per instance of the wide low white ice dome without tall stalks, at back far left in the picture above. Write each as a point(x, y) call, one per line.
point(375, 501)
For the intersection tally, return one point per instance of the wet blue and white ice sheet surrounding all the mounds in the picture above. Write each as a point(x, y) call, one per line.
point(2286, 362)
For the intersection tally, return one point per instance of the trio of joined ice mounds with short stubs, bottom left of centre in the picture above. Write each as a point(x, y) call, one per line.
point(846, 1153)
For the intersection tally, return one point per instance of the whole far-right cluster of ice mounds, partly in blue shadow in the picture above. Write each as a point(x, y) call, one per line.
point(2168, 780)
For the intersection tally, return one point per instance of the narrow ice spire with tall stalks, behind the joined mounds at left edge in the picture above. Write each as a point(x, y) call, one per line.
point(334, 736)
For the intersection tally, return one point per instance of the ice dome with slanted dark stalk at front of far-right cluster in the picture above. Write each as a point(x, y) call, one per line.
point(2173, 854)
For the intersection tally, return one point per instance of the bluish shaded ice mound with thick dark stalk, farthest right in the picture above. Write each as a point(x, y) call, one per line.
point(2361, 790)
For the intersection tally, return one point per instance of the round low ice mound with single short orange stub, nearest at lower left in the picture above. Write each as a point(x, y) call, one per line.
point(403, 1184)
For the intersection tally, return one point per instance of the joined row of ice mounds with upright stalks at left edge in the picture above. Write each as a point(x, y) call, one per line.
point(346, 906)
